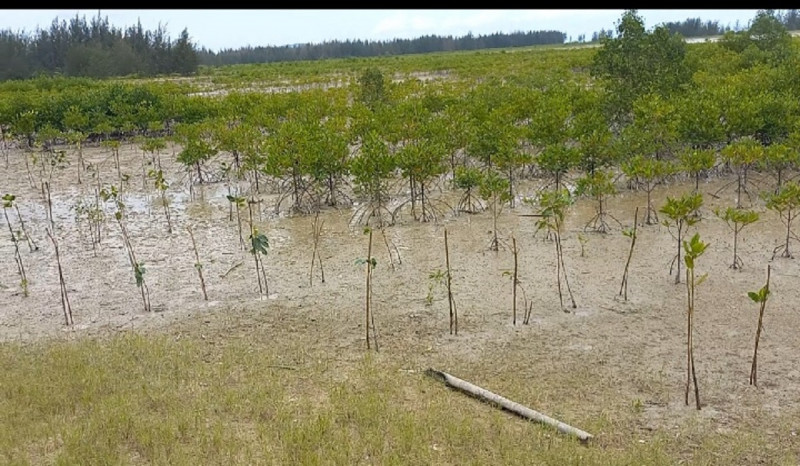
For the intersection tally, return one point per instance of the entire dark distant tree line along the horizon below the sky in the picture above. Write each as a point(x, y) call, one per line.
point(96, 49)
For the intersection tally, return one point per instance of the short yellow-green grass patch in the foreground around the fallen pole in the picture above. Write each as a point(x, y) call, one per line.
point(251, 399)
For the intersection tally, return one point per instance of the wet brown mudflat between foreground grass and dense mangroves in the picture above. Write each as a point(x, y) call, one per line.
point(645, 335)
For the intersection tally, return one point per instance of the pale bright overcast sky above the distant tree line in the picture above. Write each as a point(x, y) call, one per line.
point(234, 28)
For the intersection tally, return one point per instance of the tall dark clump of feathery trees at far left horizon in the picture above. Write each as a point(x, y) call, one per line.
point(94, 49)
